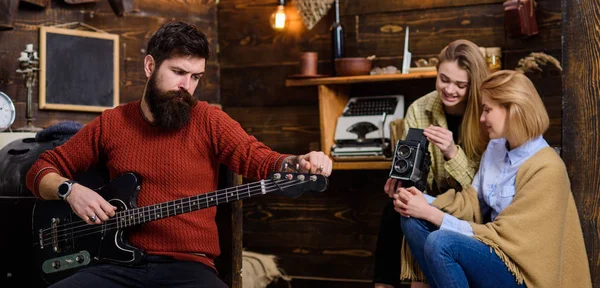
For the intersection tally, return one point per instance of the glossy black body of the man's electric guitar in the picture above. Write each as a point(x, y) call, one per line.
point(68, 250)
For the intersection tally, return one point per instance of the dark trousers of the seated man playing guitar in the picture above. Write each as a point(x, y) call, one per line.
point(157, 271)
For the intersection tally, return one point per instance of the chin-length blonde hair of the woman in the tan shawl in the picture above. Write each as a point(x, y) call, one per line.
point(527, 117)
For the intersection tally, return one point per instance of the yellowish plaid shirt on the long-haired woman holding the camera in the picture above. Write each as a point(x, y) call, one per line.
point(455, 173)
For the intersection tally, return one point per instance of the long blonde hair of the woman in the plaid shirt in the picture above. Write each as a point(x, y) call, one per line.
point(473, 138)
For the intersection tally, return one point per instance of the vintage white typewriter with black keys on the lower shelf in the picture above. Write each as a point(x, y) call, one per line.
point(363, 129)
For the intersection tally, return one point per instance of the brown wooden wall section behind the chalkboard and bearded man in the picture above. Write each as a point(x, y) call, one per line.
point(134, 30)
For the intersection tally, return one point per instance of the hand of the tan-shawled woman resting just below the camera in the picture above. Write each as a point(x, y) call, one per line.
point(410, 202)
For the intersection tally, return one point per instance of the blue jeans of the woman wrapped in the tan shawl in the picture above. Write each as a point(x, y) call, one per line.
point(450, 259)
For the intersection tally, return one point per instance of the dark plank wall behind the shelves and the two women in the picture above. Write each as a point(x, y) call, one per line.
point(331, 237)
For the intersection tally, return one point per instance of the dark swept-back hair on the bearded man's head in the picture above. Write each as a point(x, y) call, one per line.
point(177, 39)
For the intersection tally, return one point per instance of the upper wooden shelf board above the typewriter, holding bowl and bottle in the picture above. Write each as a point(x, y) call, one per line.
point(359, 79)
